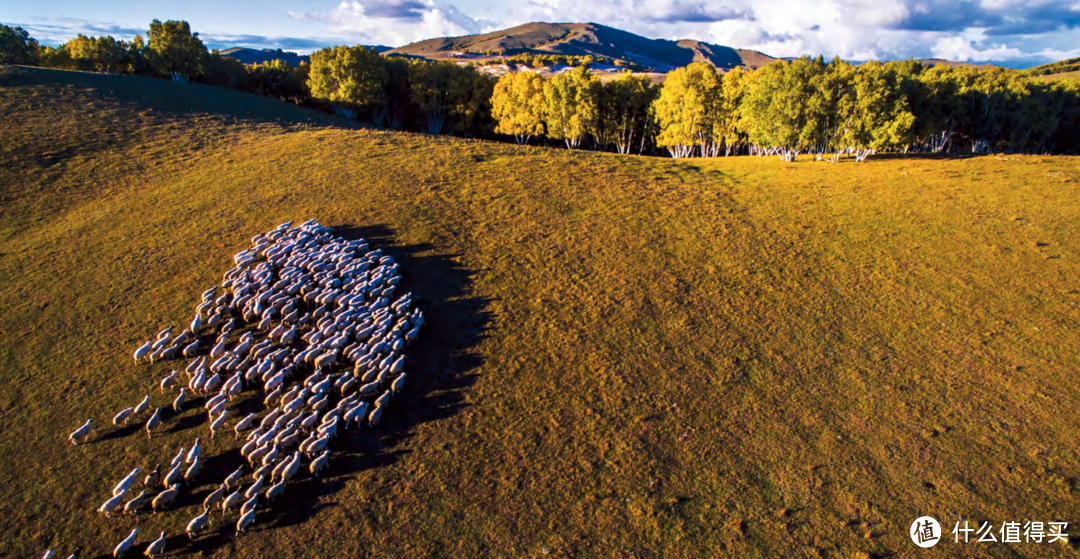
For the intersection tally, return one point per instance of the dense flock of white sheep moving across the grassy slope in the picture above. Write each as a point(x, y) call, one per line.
point(308, 319)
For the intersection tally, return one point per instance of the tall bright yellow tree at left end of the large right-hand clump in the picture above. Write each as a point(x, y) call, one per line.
point(686, 111)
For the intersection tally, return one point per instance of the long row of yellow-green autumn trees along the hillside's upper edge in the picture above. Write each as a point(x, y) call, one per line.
point(805, 106)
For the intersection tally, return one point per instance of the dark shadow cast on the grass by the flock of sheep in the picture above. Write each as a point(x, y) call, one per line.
point(439, 367)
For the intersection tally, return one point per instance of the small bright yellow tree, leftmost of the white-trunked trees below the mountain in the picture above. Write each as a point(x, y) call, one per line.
point(518, 106)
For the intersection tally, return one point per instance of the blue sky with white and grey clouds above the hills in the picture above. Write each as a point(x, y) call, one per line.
point(1014, 33)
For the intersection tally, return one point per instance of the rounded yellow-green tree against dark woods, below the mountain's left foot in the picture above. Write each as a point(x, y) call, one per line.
point(350, 79)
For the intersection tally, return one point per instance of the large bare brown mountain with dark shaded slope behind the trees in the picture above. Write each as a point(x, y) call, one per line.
point(605, 44)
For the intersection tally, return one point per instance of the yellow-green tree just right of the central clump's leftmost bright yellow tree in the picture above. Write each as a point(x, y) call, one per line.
point(571, 106)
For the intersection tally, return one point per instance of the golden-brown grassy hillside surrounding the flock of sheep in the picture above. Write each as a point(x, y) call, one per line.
point(627, 357)
